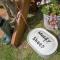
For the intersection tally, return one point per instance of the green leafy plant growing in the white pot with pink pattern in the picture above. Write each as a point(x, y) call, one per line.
point(51, 8)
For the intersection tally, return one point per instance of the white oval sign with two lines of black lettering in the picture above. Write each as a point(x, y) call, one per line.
point(43, 42)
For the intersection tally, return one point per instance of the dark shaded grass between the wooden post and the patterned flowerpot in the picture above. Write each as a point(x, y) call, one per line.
point(33, 21)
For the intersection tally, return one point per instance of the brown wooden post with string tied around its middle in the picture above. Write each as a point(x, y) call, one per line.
point(20, 29)
